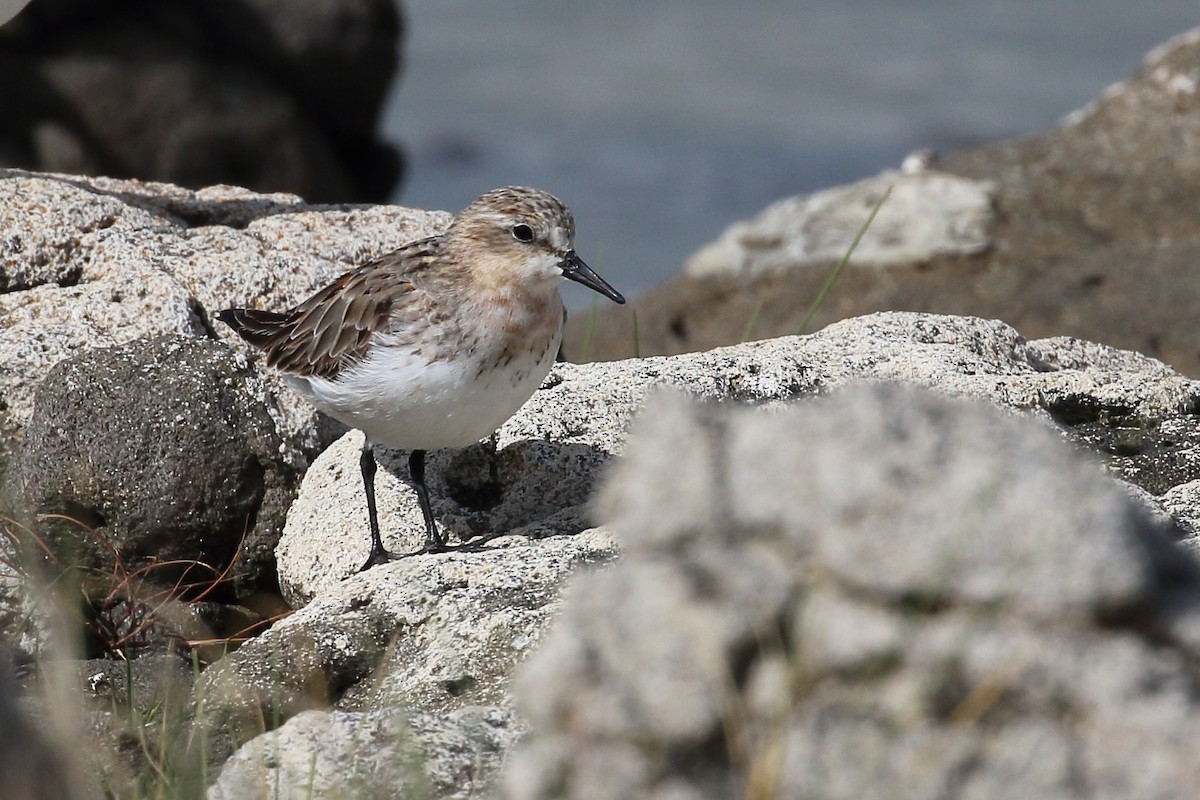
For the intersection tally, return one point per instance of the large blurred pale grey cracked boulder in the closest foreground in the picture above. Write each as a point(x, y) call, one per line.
point(917, 598)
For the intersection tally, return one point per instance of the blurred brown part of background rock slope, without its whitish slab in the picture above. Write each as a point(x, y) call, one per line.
point(1093, 236)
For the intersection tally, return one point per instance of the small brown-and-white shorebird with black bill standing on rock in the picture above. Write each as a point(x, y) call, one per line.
point(435, 345)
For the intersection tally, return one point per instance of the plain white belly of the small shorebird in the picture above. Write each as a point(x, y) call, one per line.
point(400, 400)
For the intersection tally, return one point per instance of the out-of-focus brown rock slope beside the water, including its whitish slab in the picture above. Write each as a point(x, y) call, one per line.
point(1088, 230)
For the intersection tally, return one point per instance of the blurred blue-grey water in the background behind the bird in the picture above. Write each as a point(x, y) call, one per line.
point(663, 122)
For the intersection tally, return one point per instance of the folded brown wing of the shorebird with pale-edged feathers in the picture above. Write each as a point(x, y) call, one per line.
point(333, 328)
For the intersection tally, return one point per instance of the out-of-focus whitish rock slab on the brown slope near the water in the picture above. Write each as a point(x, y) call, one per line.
point(927, 214)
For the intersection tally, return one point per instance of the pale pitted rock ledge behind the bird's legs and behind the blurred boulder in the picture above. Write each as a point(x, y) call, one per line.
point(1133, 410)
